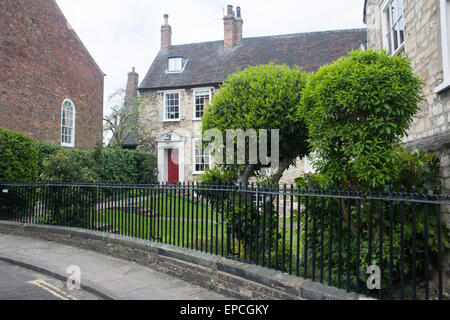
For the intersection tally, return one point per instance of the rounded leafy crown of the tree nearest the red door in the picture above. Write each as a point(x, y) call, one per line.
point(258, 98)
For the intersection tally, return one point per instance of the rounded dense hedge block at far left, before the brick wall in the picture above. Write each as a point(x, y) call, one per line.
point(18, 157)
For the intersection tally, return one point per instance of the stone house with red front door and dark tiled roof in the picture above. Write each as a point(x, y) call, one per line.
point(183, 79)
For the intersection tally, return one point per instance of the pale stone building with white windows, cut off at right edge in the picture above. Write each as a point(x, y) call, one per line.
point(421, 30)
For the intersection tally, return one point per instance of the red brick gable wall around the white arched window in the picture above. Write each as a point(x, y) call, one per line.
point(43, 62)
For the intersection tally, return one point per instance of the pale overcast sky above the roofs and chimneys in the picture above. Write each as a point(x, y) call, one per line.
point(121, 34)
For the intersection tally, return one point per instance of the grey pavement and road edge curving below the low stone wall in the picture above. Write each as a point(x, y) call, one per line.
point(101, 275)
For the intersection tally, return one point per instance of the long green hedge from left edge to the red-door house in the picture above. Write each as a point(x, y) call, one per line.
point(23, 159)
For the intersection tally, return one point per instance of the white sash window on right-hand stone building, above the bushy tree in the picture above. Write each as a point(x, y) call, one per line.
point(388, 41)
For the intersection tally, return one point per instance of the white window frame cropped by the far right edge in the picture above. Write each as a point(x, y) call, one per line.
point(445, 43)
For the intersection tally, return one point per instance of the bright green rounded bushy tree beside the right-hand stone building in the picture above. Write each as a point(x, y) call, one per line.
point(357, 110)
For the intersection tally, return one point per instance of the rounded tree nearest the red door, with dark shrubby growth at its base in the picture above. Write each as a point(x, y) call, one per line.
point(258, 98)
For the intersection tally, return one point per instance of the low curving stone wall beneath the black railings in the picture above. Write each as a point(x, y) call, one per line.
point(231, 278)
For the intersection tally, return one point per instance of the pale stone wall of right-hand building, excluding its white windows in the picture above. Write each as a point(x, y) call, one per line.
point(431, 129)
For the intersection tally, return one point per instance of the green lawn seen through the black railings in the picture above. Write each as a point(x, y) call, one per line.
point(182, 221)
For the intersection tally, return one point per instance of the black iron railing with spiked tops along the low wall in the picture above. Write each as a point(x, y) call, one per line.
point(388, 244)
